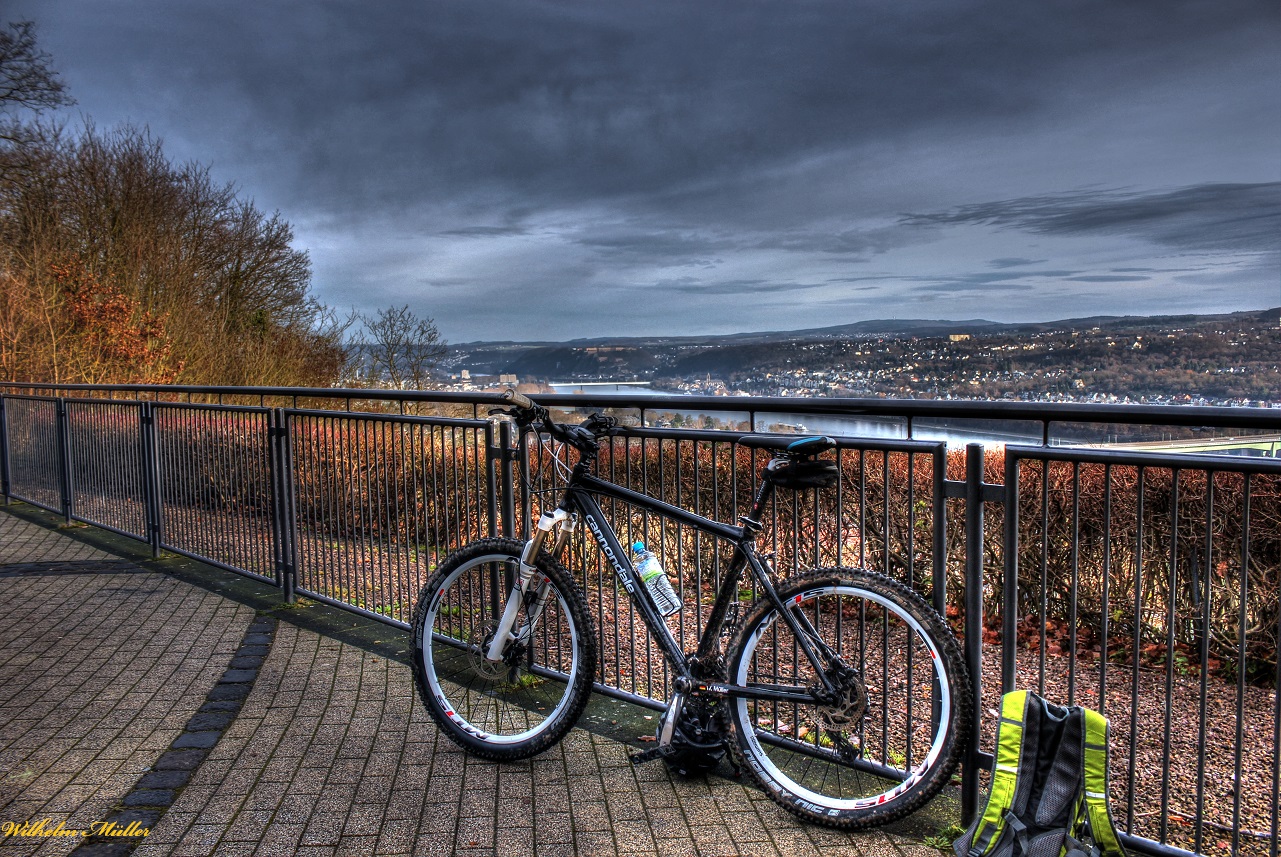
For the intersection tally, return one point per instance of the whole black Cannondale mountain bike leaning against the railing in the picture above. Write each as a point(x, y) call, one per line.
point(842, 691)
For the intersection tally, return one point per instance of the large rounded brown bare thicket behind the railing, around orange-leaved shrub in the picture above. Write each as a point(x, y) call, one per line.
point(225, 277)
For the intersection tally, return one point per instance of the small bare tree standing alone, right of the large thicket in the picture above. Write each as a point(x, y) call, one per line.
point(402, 348)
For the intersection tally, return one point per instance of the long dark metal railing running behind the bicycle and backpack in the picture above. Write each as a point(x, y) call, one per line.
point(1138, 582)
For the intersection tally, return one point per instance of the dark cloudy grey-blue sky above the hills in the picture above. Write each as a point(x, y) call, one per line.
point(563, 168)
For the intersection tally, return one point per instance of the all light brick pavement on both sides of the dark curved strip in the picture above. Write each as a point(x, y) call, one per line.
point(331, 755)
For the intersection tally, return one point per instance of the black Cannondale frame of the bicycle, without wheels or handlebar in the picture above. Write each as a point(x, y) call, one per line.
point(580, 496)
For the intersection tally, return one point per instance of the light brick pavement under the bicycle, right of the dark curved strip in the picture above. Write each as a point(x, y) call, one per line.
point(335, 755)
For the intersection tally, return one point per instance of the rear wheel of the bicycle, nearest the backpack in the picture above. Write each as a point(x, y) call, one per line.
point(892, 735)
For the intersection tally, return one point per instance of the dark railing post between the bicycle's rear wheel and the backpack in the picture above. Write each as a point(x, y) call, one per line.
point(974, 531)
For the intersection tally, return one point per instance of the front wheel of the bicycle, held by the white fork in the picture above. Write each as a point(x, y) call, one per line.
point(526, 703)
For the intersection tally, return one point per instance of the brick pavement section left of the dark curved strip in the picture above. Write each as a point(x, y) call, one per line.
point(103, 663)
